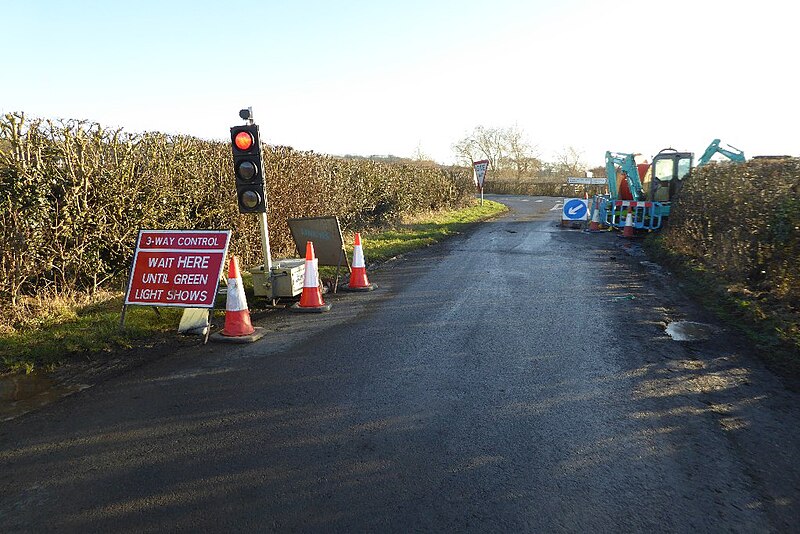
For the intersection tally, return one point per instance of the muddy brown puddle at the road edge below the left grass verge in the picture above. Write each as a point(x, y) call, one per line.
point(20, 394)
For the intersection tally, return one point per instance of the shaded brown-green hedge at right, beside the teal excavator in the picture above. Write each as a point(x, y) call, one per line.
point(741, 222)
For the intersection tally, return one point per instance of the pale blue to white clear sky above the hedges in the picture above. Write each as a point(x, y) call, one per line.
point(378, 77)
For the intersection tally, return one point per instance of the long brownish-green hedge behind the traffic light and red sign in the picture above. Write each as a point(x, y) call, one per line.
point(73, 195)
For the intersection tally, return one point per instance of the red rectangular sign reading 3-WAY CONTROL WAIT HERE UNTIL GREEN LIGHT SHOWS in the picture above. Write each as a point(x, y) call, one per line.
point(177, 267)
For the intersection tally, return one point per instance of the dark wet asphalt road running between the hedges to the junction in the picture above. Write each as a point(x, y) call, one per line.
point(514, 379)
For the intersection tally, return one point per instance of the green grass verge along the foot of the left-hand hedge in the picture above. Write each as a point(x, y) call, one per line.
point(51, 330)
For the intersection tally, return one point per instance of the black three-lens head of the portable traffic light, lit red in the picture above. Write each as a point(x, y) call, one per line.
point(248, 167)
